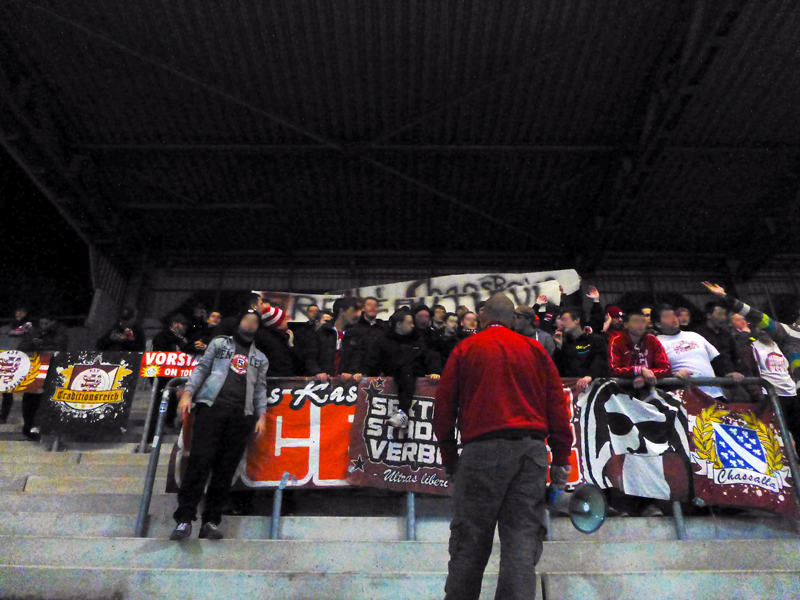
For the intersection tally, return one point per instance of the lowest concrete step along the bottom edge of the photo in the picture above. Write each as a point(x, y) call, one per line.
point(155, 584)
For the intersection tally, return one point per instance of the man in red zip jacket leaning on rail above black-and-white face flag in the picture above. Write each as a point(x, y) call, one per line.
point(637, 354)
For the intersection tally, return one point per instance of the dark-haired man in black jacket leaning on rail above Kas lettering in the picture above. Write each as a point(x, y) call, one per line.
point(332, 351)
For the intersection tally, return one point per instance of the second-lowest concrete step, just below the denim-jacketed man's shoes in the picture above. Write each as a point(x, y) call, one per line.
point(376, 557)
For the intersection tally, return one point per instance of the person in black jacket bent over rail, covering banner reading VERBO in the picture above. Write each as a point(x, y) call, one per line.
point(402, 353)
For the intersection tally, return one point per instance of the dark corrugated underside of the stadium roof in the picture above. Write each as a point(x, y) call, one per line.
point(207, 131)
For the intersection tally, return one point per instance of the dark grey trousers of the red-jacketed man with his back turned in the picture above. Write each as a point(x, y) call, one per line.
point(498, 483)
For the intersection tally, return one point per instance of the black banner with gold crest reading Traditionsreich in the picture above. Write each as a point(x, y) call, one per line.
point(89, 394)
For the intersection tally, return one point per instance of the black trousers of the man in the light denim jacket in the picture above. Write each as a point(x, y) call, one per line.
point(220, 435)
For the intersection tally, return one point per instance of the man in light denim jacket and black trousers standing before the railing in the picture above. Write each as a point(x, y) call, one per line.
point(230, 400)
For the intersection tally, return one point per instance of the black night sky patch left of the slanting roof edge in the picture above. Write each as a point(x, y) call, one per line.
point(44, 263)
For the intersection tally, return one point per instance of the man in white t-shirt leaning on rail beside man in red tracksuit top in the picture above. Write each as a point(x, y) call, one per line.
point(689, 353)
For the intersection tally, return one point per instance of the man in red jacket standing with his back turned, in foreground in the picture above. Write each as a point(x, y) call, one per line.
point(506, 395)
